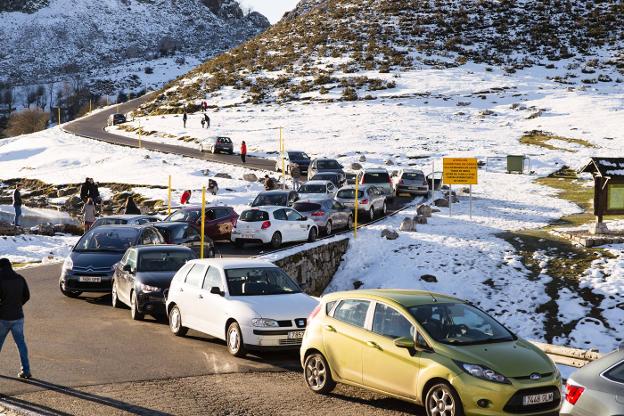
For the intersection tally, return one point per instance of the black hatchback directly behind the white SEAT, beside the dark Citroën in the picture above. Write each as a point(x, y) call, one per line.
point(143, 275)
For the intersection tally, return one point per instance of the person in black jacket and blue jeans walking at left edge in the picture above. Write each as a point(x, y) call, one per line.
point(14, 294)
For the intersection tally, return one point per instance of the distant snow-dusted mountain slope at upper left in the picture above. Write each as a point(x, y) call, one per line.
point(52, 40)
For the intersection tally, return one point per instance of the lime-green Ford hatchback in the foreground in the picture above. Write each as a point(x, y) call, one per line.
point(437, 351)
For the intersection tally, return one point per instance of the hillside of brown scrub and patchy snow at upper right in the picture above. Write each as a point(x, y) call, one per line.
point(350, 49)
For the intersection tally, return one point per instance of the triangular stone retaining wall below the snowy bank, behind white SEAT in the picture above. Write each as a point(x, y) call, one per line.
point(313, 268)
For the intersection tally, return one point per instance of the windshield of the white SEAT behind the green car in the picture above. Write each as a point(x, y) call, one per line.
point(260, 281)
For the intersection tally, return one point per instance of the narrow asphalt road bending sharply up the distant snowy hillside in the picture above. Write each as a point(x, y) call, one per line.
point(92, 127)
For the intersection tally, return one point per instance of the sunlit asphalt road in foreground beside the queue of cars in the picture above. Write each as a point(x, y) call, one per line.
point(91, 359)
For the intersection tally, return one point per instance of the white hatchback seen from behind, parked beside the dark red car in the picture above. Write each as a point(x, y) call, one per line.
point(273, 225)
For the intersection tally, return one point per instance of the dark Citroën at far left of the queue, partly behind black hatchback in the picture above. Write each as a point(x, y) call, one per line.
point(89, 266)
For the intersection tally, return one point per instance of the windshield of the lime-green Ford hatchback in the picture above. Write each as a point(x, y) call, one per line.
point(459, 324)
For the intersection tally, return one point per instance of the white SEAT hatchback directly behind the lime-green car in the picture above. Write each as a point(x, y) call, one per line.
point(250, 304)
